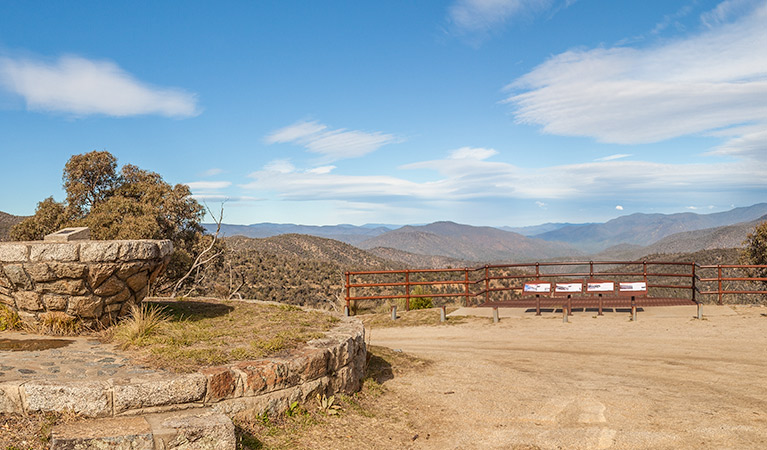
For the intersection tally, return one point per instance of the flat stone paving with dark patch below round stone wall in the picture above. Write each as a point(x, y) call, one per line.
point(69, 358)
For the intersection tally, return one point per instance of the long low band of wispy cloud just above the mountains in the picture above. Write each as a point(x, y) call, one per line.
point(470, 179)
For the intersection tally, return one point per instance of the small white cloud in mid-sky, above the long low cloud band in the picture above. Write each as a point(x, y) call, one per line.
point(334, 144)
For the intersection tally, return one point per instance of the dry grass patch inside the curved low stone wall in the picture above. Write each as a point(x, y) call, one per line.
point(183, 335)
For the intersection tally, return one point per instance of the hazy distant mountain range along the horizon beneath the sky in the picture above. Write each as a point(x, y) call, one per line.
point(453, 244)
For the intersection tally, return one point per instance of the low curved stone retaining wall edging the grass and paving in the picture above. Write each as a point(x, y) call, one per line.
point(332, 364)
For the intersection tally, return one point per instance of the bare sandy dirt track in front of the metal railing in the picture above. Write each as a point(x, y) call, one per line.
point(665, 381)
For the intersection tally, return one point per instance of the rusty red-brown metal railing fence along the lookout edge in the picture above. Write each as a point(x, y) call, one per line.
point(503, 279)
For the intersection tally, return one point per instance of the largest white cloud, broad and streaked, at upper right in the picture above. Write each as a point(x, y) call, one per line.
point(713, 80)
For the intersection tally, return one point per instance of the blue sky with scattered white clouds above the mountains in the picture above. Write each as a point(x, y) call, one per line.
point(485, 112)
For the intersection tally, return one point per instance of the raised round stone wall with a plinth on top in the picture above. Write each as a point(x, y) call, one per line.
point(94, 281)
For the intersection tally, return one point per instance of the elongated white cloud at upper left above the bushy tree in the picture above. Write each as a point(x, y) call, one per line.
point(81, 86)
